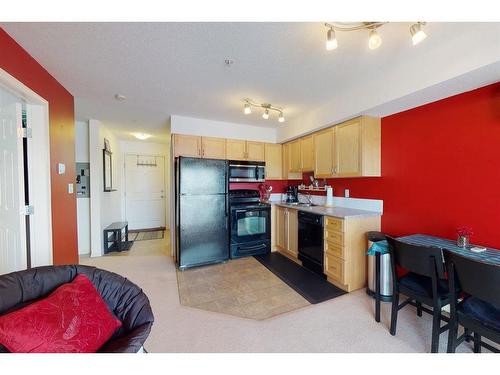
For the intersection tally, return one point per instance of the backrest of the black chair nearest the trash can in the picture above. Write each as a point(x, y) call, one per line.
point(416, 258)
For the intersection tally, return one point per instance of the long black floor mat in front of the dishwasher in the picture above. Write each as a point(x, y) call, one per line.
point(309, 285)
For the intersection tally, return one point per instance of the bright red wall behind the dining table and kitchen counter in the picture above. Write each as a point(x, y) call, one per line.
point(440, 168)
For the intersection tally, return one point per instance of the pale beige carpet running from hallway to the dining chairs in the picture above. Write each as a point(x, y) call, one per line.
point(343, 324)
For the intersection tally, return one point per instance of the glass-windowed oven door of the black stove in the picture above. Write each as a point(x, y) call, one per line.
point(250, 224)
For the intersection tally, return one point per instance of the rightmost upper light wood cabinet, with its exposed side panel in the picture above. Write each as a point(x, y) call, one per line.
point(357, 147)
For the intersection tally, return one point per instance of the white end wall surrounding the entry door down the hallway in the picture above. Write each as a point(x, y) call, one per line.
point(153, 149)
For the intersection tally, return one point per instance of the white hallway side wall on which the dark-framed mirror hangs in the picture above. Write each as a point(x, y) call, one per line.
point(105, 207)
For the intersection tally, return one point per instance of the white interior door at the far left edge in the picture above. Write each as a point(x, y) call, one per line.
point(13, 255)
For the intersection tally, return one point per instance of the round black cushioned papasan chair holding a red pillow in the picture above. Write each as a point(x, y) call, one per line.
point(125, 299)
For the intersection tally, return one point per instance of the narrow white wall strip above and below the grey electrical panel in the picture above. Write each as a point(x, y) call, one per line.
point(82, 204)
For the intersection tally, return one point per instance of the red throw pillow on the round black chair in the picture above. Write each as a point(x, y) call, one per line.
point(72, 319)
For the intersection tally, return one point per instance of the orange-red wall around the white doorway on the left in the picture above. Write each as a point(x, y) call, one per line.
point(18, 63)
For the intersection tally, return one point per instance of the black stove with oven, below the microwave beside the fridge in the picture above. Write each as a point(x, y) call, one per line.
point(250, 220)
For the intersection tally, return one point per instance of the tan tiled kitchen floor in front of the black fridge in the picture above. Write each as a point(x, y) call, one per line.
point(241, 287)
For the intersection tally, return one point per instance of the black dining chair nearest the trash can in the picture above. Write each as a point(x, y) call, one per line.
point(424, 283)
